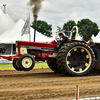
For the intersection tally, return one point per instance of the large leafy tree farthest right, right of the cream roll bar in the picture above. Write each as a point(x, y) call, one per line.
point(87, 28)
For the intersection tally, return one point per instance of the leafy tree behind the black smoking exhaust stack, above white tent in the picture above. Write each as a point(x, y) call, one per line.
point(43, 27)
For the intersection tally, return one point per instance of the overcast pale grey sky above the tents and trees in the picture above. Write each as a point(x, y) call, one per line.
point(56, 12)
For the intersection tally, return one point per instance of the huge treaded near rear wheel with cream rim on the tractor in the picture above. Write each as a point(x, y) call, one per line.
point(76, 59)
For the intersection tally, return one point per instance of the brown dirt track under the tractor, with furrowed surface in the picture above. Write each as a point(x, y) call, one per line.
point(44, 84)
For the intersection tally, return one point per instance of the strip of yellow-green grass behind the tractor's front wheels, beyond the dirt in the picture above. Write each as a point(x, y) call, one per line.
point(10, 66)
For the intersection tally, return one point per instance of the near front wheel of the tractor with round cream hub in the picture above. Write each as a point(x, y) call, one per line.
point(26, 62)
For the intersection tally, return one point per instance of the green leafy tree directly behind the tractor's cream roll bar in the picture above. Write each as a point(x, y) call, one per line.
point(67, 27)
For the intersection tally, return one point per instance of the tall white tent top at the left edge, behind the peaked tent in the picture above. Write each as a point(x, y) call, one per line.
point(5, 22)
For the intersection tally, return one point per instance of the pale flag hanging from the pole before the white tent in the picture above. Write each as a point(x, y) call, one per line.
point(26, 27)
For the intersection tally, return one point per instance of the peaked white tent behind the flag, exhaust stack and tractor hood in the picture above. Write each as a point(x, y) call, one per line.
point(14, 33)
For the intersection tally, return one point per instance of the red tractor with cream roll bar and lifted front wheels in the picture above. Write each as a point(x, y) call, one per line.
point(75, 58)
